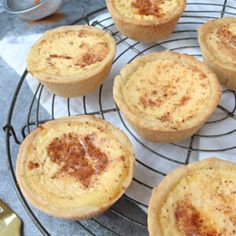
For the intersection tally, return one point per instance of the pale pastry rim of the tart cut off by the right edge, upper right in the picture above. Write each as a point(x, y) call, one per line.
point(203, 31)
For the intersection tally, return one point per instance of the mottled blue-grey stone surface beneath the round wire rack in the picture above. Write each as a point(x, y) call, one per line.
point(12, 25)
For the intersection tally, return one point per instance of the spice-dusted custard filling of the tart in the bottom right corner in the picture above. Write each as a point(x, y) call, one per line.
point(199, 207)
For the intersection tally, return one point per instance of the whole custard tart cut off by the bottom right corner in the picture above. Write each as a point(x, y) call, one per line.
point(197, 199)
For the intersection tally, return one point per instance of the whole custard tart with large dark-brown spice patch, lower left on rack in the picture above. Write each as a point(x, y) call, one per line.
point(75, 167)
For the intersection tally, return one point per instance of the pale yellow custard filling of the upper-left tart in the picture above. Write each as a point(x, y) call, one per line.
point(69, 52)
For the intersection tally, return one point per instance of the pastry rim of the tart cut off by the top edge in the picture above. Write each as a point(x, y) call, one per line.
point(176, 14)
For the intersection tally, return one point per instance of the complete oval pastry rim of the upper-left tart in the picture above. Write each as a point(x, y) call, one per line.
point(86, 75)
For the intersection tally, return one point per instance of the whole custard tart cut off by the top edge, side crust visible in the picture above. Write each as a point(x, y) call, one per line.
point(145, 20)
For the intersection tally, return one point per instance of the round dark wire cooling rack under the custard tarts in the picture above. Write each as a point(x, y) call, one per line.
point(125, 216)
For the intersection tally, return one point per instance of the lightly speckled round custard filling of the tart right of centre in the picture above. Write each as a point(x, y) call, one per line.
point(171, 92)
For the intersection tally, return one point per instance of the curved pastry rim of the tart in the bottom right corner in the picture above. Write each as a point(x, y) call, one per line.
point(167, 185)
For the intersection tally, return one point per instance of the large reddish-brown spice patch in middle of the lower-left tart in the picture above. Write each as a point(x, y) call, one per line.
point(78, 158)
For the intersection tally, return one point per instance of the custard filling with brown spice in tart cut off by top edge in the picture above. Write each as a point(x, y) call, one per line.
point(146, 9)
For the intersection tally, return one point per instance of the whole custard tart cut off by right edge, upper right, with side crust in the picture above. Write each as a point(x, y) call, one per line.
point(217, 40)
